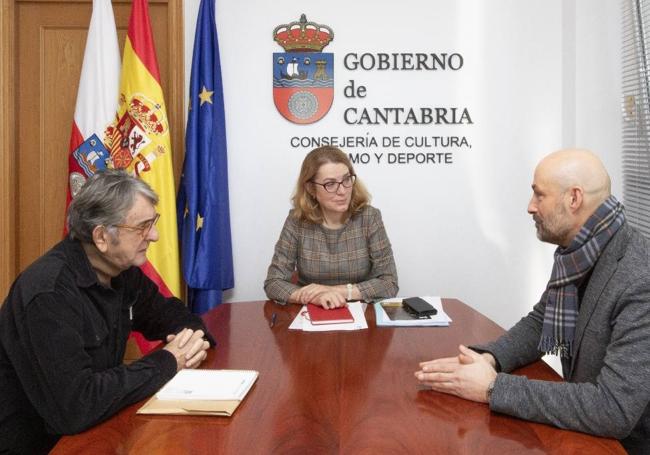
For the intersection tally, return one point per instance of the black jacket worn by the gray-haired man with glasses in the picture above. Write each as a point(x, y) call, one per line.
point(62, 340)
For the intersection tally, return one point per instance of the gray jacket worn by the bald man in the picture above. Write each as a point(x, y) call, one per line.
point(608, 382)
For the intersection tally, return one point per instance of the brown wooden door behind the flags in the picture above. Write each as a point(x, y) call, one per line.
point(43, 43)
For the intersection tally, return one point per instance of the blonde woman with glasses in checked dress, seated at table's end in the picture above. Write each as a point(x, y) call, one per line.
point(333, 238)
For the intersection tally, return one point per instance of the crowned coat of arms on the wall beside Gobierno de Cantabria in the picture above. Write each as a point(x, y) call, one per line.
point(303, 76)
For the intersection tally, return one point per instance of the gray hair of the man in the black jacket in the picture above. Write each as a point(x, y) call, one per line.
point(105, 200)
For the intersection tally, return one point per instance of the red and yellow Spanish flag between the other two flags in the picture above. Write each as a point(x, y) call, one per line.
point(139, 141)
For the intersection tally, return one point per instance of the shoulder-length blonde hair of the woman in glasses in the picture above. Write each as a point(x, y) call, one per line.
point(305, 205)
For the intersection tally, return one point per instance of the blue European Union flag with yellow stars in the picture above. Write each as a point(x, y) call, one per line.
point(203, 208)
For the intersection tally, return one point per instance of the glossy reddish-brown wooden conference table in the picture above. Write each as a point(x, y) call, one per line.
point(337, 392)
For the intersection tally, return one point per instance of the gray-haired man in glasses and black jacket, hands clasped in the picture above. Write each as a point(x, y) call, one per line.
point(65, 322)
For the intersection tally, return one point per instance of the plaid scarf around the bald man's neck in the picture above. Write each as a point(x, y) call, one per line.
point(570, 266)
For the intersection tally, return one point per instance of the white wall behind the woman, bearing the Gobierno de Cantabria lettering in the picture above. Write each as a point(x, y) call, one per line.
point(538, 76)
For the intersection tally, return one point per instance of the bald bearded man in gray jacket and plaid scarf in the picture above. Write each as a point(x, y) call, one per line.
point(594, 314)
